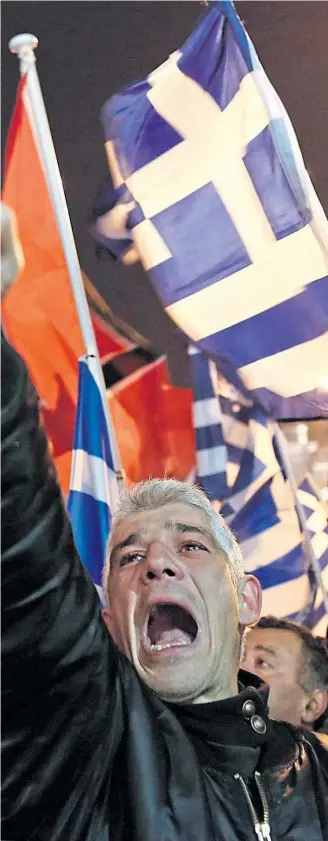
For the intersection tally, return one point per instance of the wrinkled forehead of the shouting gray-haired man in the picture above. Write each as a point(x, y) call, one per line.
point(172, 517)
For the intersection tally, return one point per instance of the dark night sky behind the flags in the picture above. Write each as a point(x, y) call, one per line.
point(90, 49)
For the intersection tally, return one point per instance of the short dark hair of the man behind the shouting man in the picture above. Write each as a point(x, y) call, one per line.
point(314, 664)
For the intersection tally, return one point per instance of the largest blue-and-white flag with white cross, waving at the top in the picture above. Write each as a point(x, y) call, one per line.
point(211, 192)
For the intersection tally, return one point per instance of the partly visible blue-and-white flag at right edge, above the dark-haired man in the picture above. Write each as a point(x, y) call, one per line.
point(317, 524)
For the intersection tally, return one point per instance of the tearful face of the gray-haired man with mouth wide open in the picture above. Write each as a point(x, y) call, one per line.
point(173, 607)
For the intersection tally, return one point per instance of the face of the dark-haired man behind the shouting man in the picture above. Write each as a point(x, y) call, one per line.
point(276, 657)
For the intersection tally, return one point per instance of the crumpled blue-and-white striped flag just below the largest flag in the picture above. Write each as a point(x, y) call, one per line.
point(239, 469)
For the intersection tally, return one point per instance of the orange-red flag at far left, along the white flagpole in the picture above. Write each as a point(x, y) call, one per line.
point(39, 313)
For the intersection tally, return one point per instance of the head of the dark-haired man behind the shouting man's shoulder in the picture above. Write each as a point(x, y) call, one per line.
point(294, 664)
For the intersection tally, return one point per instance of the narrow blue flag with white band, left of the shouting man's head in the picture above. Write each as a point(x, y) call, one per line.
point(94, 492)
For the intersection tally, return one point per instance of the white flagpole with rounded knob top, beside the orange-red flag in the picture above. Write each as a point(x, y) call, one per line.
point(23, 46)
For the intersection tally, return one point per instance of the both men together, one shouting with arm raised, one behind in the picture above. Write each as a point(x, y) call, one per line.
point(143, 724)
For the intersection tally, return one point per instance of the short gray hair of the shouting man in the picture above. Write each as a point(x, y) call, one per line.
point(155, 493)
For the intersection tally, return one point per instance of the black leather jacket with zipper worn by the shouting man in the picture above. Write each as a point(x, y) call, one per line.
point(89, 752)
